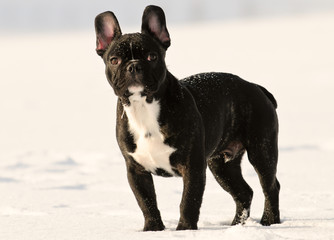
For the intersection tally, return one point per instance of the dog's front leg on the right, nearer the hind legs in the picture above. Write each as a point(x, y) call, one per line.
point(193, 189)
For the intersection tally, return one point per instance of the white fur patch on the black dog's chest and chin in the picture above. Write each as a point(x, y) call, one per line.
point(151, 152)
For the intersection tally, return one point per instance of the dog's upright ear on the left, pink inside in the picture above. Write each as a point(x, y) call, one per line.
point(107, 29)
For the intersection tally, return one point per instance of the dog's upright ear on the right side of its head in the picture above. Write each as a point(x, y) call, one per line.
point(154, 24)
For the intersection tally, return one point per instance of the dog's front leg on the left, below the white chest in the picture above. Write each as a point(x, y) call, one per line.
point(141, 183)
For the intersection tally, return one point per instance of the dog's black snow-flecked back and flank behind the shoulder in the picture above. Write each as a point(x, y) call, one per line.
point(237, 105)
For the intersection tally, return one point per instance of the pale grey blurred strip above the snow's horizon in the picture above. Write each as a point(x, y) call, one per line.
point(41, 15)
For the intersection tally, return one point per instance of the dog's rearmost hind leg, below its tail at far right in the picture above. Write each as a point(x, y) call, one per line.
point(263, 156)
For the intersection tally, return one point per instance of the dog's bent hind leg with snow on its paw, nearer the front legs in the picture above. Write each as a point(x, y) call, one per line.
point(228, 175)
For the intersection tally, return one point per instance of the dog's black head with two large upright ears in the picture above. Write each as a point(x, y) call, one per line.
point(133, 60)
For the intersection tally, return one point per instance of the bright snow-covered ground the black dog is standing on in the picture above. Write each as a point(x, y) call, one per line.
point(61, 173)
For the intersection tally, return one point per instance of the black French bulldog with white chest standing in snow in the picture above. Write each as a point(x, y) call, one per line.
point(176, 128)
